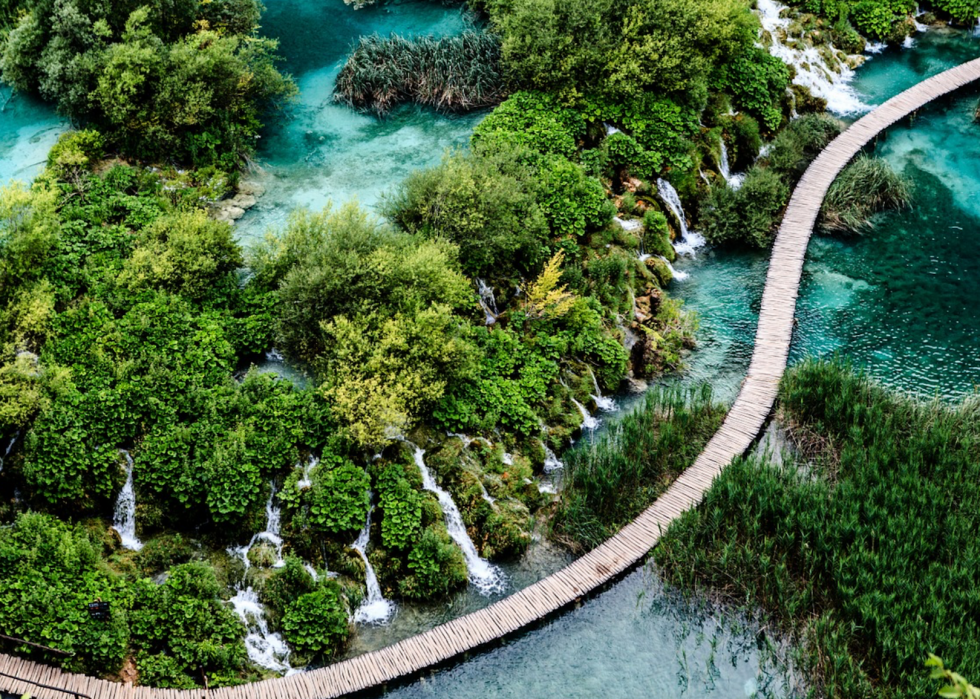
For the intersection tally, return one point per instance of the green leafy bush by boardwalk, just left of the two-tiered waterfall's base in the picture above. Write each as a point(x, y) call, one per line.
point(183, 626)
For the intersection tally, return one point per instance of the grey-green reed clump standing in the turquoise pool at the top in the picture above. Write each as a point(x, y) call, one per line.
point(454, 73)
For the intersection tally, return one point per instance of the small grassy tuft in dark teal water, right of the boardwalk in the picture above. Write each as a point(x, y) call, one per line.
point(866, 187)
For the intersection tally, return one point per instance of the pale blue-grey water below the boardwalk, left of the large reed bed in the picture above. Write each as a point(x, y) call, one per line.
point(633, 641)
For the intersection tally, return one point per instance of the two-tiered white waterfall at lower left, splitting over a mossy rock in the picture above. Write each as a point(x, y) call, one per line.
point(266, 649)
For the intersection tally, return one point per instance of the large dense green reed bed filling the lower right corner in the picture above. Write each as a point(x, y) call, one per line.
point(869, 555)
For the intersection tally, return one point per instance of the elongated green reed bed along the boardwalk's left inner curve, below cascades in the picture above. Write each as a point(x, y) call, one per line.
point(609, 482)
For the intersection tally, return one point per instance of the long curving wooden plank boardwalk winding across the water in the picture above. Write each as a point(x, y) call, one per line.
point(634, 541)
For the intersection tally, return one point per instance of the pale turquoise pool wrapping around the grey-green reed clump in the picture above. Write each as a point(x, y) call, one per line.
point(326, 152)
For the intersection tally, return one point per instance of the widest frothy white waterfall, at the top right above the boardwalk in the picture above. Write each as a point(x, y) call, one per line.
point(812, 70)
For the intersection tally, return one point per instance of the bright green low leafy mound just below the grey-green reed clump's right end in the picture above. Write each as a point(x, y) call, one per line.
point(532, 120)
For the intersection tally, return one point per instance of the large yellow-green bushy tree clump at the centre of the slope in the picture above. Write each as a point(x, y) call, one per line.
point(373, 310)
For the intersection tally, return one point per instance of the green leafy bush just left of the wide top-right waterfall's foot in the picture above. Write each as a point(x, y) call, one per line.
point(756, 80)
